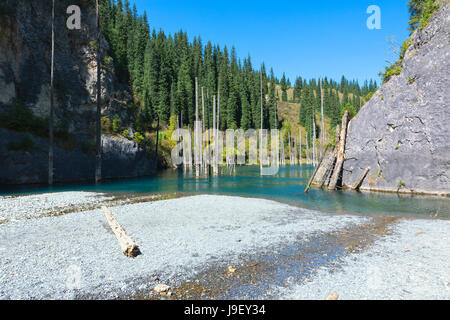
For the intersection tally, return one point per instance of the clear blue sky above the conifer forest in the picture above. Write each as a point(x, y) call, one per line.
point(301, 38)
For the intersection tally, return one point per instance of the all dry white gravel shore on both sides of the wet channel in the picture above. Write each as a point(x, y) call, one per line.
point(76, 255)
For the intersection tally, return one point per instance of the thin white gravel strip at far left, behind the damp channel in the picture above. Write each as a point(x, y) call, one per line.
point(32, 206)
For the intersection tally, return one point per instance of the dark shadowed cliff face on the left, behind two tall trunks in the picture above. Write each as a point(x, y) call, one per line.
point(25, 51)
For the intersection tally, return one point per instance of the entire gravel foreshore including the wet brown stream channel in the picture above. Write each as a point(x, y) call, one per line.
point(188, 243)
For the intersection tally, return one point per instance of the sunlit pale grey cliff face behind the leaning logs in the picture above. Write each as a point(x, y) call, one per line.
point(403, 132)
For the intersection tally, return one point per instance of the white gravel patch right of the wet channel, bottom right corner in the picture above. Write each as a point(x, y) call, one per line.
point(413, 263)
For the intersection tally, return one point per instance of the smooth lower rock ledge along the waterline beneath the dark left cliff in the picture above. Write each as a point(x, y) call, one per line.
point(121, 159)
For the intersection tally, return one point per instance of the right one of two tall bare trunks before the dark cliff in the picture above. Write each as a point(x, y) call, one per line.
point(98, 140)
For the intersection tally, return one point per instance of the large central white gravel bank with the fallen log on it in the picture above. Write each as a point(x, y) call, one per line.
point(59, 257)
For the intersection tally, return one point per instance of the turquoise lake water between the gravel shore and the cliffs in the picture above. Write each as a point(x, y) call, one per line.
point(287, 186)
